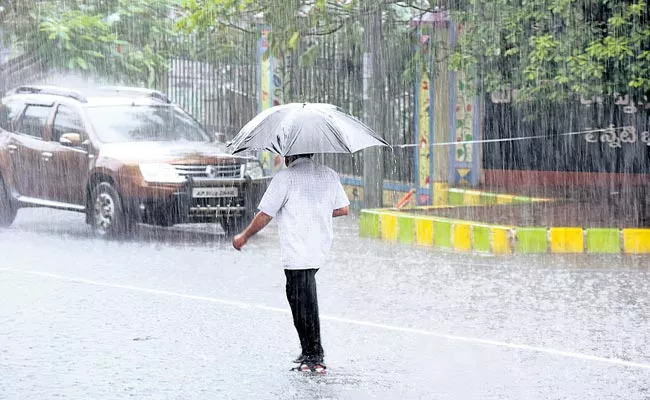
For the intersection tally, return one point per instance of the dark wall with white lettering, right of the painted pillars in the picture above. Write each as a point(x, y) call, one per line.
point(569, 151)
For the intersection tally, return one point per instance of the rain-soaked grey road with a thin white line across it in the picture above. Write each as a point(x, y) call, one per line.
point(172, 315)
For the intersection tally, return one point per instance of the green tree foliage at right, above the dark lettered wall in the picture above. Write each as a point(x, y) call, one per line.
point(551, 49)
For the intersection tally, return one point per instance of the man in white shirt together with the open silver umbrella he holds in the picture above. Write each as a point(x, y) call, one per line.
point(303, 198)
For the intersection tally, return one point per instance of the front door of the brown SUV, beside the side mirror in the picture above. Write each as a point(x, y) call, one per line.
point(69, 165)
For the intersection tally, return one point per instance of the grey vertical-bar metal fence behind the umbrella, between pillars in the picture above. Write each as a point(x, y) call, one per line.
point(223, 93)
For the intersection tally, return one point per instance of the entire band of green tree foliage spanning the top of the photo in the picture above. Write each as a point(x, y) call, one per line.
point(546, 49)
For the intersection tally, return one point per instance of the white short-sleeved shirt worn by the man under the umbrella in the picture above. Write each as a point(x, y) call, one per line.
point(302, 198)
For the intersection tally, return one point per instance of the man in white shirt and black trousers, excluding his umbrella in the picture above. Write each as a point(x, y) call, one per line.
point(303, 198)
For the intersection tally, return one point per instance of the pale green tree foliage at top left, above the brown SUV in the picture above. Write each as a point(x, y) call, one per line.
point(123, 40)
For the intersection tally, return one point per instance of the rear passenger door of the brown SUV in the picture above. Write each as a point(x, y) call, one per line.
point(29, 151)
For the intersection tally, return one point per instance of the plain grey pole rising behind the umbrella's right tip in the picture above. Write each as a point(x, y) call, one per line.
point(373, 91)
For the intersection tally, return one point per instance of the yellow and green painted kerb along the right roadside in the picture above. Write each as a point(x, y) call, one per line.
point(465, 236)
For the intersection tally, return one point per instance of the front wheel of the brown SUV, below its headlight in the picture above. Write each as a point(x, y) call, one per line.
point(108, 218)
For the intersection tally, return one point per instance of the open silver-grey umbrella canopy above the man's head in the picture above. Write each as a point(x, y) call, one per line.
point(304, 128)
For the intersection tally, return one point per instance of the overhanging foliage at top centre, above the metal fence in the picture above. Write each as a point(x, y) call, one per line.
point(295, 21)
